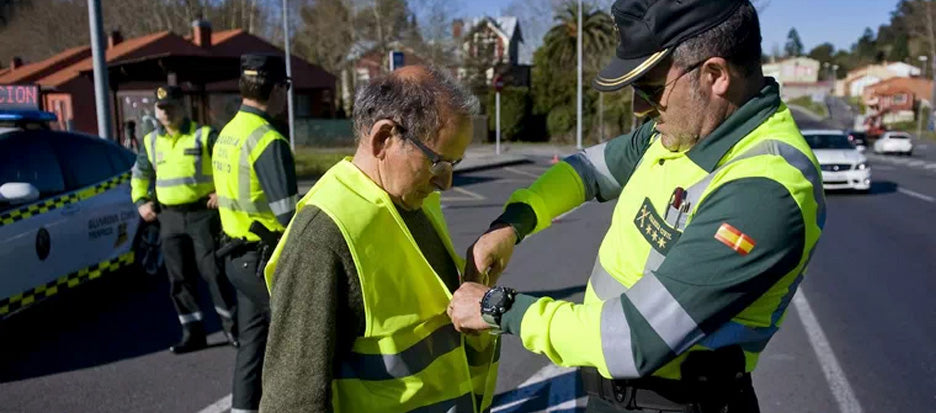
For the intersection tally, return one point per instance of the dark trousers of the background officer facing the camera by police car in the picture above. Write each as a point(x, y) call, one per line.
point(188, 242)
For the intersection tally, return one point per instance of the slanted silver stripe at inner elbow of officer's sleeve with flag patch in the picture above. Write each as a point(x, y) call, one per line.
point(664, 313)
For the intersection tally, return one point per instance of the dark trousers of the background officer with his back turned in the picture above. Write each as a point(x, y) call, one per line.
point(253, 322)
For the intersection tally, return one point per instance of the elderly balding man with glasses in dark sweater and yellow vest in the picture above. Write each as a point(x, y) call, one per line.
point(361, 280)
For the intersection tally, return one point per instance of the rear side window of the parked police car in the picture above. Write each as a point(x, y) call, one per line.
point(85, 160)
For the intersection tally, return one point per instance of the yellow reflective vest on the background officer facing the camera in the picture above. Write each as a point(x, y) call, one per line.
point(180, 165)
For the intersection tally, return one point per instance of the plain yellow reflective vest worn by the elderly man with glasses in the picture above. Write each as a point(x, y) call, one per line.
point(410, 356)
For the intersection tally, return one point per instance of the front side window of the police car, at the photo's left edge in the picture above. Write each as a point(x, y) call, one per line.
point(26, 157)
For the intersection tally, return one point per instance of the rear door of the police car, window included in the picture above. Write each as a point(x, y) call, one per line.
point(106, 220)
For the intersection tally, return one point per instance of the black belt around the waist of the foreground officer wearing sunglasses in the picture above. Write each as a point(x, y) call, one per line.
point(653, 393)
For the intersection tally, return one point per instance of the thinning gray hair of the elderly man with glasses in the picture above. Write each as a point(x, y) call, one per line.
point(420, 105)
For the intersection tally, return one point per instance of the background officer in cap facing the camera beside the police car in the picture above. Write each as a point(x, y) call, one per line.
point(176, 161)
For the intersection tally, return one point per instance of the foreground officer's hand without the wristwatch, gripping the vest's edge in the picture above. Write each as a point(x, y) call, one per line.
point(489, 255)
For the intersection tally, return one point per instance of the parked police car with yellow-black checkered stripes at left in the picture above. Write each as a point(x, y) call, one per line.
point(65, 211)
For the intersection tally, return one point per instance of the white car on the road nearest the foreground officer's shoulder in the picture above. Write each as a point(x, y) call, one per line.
point(843, 167)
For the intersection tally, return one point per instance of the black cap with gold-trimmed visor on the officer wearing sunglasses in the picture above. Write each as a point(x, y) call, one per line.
point(651, 29)
